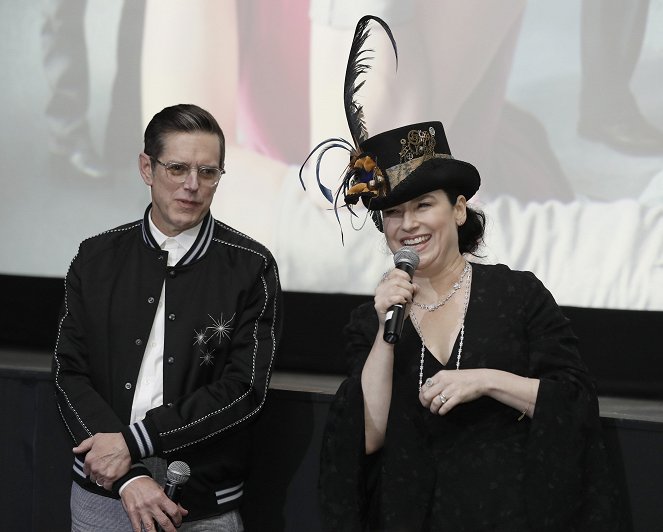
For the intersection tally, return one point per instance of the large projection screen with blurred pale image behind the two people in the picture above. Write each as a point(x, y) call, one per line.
point(557, 103)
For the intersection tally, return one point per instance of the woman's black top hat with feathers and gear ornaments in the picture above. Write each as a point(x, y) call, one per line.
point(395, 166)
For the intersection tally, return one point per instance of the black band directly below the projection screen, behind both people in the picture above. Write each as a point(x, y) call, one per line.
point(622, 348)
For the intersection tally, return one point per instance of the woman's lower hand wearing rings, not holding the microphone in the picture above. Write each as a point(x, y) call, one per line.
point(448, 388)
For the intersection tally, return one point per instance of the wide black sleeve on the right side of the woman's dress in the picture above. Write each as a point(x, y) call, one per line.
point(567, 467)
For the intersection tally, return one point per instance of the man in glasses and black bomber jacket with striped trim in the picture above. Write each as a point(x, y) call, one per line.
point(165, 346)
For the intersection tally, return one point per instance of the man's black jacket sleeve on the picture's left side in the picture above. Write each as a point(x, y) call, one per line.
point(83, 410)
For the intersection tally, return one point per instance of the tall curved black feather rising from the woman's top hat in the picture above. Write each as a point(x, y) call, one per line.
point(358, 65)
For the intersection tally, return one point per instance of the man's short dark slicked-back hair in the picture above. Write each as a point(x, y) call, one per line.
point(182, 118)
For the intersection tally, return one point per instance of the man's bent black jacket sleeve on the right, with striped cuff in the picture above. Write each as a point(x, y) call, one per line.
point(238, 395)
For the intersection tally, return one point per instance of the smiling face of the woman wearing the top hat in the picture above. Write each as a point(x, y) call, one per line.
point(428, 224)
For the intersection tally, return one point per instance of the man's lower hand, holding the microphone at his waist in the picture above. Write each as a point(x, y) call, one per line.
point(146, 503)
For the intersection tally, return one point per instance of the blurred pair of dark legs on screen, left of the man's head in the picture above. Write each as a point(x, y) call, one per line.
point(65, 58)
